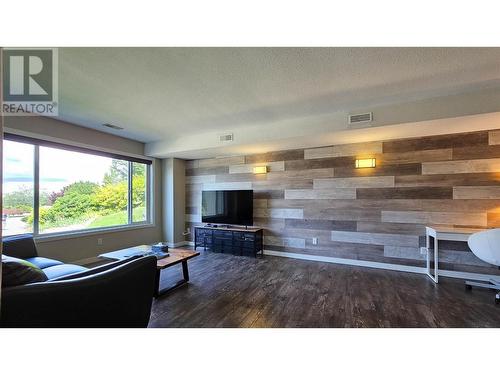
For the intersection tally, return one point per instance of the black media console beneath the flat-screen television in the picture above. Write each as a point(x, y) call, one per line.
point(230, 239)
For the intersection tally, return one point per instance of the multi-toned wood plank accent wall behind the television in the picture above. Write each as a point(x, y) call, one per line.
point(374, 214)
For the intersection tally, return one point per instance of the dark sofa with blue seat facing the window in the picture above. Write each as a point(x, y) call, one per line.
point(119, 294)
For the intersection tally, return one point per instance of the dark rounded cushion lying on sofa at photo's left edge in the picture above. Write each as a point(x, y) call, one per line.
point(17, 271)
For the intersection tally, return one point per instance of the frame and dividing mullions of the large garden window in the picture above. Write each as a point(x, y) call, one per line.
point(148, 162)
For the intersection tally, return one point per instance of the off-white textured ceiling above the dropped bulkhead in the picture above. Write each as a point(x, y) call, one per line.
point(164, 93)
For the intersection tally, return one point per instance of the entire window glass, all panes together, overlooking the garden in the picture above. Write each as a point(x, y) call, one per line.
point(76, 190)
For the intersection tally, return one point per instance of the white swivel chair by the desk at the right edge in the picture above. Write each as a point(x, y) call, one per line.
point(486, 246)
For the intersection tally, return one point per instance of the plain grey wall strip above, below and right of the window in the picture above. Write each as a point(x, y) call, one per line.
point(86, 246)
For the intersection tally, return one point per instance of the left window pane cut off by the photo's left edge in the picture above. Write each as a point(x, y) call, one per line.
point(18, 188)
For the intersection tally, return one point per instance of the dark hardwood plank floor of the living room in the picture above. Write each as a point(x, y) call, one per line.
point(232, 291)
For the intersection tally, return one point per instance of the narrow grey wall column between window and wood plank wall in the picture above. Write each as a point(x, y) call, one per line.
point(173, 200)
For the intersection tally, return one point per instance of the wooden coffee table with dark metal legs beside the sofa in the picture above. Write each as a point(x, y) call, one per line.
point(177, 255)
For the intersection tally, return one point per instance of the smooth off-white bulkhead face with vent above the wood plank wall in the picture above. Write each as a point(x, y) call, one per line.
point(426, 117)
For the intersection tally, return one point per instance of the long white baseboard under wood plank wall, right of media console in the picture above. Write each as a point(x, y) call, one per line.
point(379, 265)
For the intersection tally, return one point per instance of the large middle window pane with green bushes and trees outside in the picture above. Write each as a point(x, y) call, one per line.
point(81, 191)
